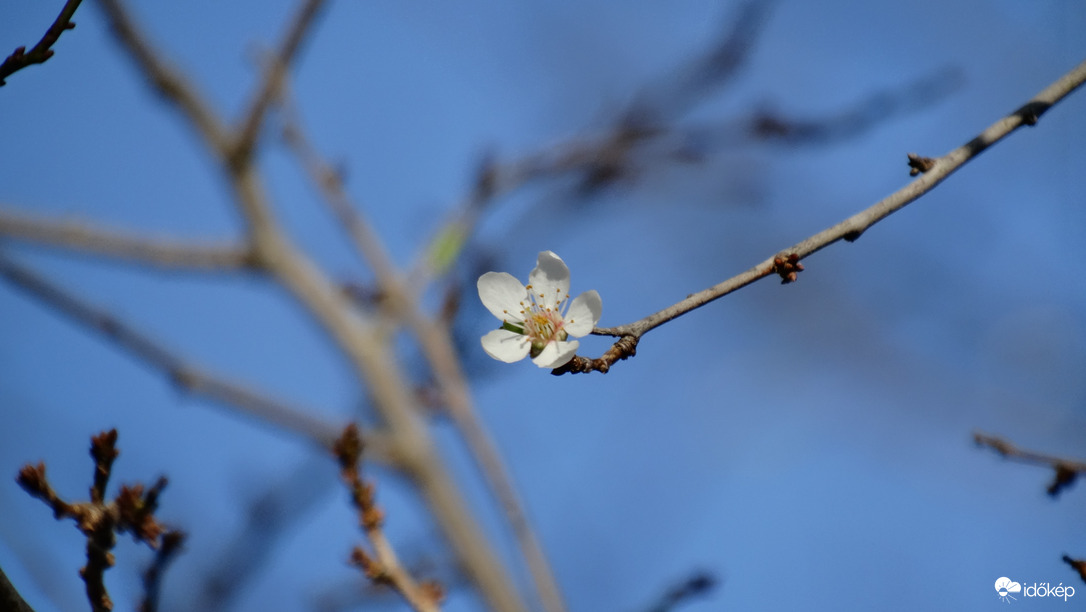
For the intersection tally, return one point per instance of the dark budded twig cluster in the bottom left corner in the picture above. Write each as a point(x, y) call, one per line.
point(132, 512)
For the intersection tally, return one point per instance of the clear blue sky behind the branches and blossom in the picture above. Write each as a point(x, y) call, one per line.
point(807, 444)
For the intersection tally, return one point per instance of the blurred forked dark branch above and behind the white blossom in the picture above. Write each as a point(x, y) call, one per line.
point(650, 132)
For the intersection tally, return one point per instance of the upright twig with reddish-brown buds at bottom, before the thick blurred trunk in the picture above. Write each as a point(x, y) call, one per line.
point(384, 566)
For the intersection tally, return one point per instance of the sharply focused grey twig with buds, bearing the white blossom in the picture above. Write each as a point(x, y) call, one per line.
point(933, 172)
